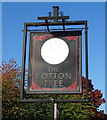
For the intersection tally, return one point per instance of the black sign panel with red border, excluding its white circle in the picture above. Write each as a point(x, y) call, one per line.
point(64, 77)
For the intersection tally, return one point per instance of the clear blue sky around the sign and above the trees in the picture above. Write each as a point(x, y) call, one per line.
point(14, 14)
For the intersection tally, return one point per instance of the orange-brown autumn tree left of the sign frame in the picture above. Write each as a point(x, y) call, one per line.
point(11, 74)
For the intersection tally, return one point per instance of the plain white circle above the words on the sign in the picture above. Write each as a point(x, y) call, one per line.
point(54, 51)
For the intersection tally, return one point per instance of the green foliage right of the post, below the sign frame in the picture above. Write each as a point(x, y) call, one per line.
point(74, 111)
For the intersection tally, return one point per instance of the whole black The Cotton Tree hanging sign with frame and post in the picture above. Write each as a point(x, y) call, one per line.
point(55, 59)
